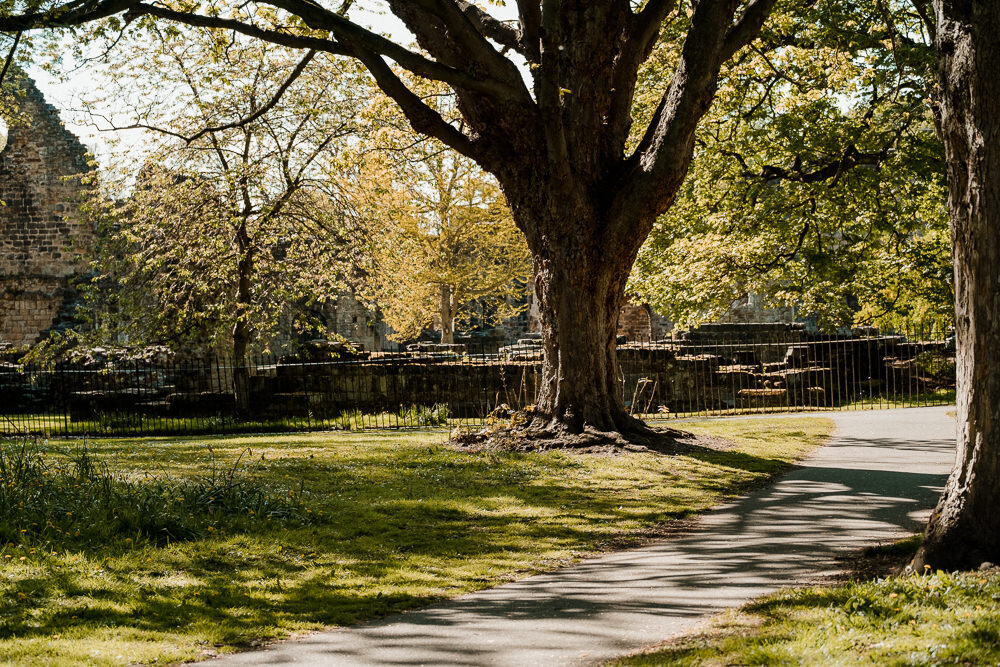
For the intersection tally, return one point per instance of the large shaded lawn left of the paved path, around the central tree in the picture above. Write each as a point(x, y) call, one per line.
point(166, 550)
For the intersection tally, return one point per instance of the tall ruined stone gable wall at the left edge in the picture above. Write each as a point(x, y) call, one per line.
point(41, 236)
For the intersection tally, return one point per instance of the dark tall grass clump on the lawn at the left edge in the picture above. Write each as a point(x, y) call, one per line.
point(74, 499)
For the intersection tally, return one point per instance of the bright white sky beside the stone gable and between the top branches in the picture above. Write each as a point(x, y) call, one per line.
point(66, 95)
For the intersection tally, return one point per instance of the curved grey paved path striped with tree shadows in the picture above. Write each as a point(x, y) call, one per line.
point(875, 481)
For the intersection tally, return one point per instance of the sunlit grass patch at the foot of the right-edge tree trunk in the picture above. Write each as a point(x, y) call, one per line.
point(930, 619)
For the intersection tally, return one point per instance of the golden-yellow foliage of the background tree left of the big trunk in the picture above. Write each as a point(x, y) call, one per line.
point(445, 252)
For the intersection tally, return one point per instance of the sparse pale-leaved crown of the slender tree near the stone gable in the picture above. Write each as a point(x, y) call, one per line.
point(231, 229)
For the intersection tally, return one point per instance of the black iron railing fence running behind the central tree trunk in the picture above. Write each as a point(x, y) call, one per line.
point(712, 371)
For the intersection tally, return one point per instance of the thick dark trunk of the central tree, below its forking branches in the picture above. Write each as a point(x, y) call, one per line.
point(579, 286)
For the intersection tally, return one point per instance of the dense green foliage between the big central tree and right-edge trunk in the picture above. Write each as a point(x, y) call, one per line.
point(818, 178)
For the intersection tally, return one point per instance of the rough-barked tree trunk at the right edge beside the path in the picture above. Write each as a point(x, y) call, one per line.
point(965, 528)
